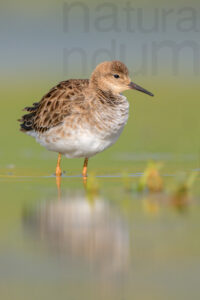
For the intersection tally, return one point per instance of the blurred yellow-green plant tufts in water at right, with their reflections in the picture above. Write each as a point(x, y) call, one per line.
point(179, 197)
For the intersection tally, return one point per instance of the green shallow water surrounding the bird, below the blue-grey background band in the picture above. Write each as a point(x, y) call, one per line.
point(108, 242)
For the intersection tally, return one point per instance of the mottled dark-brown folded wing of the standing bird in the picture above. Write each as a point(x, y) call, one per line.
point(54, 107)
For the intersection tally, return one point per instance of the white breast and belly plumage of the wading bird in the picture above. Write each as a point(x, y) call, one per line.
point(86, 141)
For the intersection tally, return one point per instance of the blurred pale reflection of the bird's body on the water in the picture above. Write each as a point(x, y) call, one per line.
point(91, 232)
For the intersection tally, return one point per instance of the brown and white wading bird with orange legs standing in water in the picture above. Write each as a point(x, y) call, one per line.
point(82, 117)
